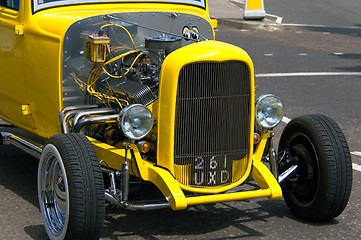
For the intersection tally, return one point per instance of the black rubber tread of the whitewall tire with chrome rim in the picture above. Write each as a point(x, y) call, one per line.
point(85, 185)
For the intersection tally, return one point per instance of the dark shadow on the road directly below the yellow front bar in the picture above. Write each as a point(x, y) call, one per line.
point(199, 222)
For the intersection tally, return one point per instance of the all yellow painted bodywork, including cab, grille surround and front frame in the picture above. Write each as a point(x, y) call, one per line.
point(37, 60)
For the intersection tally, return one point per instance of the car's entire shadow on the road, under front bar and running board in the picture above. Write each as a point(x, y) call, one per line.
point(18, 174)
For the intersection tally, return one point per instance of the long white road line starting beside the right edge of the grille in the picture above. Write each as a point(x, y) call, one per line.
point(307, 74)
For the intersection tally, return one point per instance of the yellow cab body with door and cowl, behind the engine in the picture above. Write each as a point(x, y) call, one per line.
point(28, 39)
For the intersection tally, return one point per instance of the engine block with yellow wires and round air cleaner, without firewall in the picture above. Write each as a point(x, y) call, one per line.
point(130, 77)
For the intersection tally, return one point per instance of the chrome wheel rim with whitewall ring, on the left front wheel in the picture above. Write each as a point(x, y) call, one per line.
point(53, 192)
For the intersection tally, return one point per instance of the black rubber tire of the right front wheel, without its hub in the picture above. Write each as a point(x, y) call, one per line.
point(320, 136)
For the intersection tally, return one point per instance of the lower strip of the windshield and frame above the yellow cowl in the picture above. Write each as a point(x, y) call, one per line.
point(38, 5)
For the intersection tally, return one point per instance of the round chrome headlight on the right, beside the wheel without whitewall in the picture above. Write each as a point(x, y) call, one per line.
point(269, 111)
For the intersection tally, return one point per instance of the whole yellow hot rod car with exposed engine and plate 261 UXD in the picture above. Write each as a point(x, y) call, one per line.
point(113, 94)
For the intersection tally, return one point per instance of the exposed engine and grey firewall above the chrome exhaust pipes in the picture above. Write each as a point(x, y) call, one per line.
point(115, 60)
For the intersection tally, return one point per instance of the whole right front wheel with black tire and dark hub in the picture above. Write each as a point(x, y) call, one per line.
point(320, 188)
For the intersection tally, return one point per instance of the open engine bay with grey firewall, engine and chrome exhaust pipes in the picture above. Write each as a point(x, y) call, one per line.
point(113, 62)
